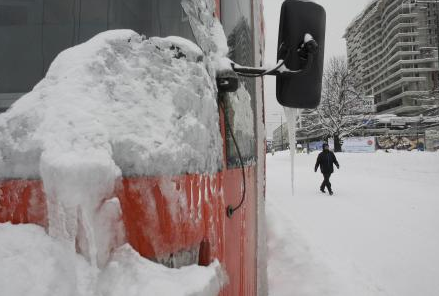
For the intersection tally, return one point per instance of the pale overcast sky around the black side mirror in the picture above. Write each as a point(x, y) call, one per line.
point(339, 13)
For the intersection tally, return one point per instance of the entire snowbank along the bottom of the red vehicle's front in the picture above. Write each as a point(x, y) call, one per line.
point(33, 263)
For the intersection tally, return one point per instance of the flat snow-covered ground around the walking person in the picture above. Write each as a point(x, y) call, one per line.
point(379, 233)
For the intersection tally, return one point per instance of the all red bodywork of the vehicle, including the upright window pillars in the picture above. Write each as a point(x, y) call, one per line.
point(203, 226)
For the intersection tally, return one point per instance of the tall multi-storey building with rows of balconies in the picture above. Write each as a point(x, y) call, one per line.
point(392, 52)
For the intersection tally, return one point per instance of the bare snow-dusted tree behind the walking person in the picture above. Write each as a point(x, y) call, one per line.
point(341, 111)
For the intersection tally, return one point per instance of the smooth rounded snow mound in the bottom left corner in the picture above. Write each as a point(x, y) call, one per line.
point(33, 263)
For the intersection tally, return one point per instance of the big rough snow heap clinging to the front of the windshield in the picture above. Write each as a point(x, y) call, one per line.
point(119, 103)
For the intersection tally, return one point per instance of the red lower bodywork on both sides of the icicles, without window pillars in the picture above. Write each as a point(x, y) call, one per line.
point(168, 215)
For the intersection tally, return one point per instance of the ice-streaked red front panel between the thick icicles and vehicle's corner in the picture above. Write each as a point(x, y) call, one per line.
point(167, 215)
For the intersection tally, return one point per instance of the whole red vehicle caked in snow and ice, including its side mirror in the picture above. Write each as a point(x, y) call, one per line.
point(152, 143)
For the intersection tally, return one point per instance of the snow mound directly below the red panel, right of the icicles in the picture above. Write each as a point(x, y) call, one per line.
point(130, 274)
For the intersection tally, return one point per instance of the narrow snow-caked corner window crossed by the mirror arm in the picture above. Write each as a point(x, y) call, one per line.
point(236, 17)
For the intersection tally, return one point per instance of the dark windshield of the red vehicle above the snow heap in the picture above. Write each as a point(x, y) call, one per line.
point(34, 32)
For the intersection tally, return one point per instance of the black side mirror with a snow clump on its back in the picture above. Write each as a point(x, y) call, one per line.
point(301, 46)
